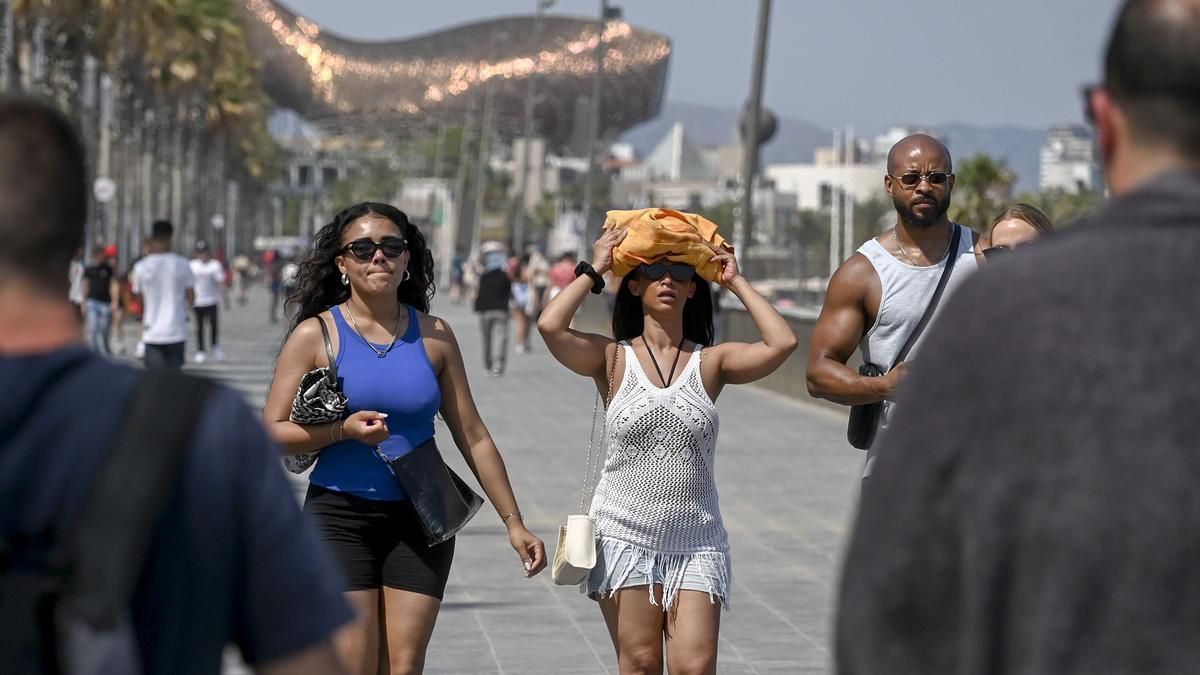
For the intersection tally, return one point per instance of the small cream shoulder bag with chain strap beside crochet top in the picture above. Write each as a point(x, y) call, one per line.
point(577, 553)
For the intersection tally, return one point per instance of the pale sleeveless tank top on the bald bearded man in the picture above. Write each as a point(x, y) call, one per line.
point(907, 294)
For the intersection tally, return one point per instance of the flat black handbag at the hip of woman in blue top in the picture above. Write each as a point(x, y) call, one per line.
point(445, 504)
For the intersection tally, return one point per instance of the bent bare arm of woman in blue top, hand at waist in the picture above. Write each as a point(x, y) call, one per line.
point(304, 351)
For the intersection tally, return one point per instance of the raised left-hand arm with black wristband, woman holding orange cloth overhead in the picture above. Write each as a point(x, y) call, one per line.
point(580, 353)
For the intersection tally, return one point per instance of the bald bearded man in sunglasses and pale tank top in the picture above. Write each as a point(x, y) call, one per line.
point(877, 298)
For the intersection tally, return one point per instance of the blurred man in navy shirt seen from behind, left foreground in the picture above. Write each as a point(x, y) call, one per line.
point(229, 558)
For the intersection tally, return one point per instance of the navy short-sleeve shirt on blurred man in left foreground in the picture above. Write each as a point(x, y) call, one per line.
point(233, 560)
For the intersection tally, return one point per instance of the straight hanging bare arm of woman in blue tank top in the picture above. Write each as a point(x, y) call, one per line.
point(478, 449)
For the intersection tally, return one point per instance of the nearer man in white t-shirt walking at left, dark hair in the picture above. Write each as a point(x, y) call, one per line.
point(165, 283)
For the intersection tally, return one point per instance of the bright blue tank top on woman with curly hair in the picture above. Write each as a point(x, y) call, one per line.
point(403, 385)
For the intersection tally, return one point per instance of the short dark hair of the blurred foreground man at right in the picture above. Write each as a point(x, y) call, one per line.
point(1153, 71)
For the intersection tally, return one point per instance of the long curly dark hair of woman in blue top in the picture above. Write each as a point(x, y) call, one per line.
point(319, 284)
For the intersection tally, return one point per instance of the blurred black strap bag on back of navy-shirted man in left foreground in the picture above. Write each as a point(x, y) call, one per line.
point(70, 614)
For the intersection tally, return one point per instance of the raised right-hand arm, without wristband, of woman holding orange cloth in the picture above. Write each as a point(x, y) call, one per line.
point(741, 362)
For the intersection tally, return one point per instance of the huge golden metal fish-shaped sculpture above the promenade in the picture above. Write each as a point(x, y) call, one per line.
point(427, 81)
